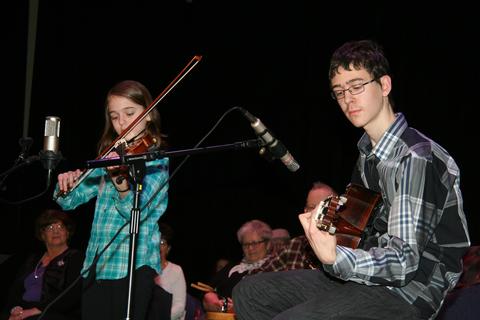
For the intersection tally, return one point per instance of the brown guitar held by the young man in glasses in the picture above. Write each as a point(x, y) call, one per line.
point(347, 215)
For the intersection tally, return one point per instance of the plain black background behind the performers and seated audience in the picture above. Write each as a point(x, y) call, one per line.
point(268, 57)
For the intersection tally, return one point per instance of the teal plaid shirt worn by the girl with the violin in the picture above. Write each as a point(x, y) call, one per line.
point(112, 212)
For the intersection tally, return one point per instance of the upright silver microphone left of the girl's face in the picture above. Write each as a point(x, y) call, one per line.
point(50, 156)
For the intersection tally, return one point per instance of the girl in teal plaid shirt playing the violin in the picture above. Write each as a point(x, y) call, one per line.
point(106, 281)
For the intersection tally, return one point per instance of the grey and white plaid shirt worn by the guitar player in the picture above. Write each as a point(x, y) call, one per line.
point(419, 254)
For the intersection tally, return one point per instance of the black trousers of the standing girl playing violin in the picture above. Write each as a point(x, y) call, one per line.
point(107, 299)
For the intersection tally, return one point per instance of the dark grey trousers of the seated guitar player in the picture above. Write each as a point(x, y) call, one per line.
point(312, 295)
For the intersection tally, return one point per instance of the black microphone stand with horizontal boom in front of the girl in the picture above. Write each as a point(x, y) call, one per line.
point(136, 170)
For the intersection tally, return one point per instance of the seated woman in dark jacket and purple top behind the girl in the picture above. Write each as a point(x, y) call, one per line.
point(46, 275)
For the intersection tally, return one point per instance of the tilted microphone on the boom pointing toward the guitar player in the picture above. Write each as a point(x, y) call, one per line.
point(273, 145)
